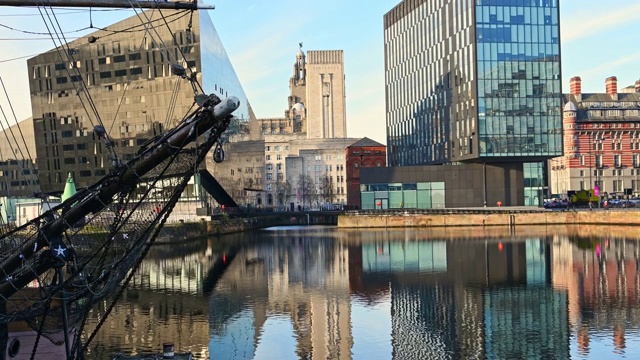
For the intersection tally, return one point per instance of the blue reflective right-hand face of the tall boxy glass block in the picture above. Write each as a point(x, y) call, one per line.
point(518, 64)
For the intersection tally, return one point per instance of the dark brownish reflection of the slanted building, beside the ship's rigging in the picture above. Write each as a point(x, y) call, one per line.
point(165, 295)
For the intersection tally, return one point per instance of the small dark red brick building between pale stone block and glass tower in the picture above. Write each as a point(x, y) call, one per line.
point(363, 153)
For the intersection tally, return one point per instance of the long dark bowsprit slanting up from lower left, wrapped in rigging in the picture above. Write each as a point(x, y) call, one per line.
point(99, 199)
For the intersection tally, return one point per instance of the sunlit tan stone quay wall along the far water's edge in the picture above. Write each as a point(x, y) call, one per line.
point(488, 218)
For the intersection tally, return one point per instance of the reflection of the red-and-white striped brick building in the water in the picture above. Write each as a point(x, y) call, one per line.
point(602, 279)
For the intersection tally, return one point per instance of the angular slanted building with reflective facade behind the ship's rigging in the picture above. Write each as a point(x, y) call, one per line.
point(120, 77)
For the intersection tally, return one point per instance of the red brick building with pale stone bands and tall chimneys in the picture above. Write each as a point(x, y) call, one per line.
point(601, 141)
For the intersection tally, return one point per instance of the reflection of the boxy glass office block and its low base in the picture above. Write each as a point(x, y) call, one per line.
point(467, 298)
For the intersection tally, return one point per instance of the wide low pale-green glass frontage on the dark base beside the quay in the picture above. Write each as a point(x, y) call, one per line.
point(420, 195)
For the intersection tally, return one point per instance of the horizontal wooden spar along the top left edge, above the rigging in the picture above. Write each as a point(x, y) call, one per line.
point(145, 4)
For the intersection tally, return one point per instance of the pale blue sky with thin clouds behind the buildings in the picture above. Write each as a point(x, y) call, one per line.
point(598, 40)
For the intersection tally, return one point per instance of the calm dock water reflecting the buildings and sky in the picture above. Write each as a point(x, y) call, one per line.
point(320, 292)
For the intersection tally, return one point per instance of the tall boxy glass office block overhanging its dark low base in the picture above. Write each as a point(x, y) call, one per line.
point(474, 81)
